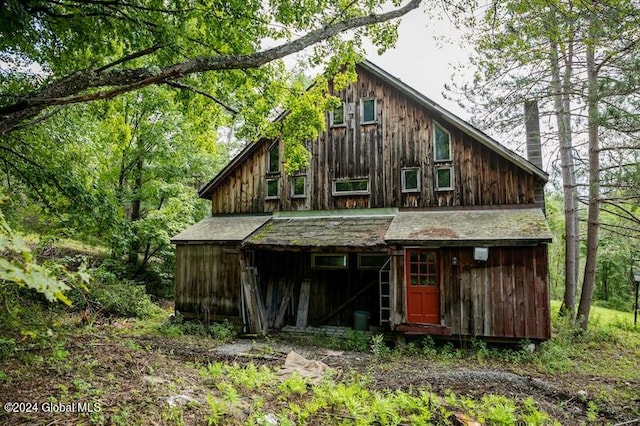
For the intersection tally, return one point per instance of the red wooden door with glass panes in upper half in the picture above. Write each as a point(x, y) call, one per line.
point(423, 289)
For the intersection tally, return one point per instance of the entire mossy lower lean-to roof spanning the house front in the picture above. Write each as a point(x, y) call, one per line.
point(371, 228)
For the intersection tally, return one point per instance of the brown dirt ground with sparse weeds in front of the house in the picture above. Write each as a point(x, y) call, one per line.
point(132, 374)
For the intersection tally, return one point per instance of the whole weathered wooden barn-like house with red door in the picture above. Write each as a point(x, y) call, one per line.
point(406, 214)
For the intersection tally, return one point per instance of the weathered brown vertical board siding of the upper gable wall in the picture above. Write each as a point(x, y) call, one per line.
point(402, 137)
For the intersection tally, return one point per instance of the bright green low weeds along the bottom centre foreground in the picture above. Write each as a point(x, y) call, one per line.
point(294, 400)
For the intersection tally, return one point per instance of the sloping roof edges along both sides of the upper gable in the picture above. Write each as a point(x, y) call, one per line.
point(424, 101)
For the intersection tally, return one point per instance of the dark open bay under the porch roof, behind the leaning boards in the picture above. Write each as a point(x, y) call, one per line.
point(329, 288)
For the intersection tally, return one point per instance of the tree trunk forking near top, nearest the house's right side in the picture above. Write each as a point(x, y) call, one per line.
point(572, 237)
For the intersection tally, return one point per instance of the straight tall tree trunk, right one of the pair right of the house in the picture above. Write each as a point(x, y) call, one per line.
point(589, 279)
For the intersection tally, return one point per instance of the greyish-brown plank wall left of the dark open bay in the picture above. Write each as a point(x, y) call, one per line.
point(207, 280)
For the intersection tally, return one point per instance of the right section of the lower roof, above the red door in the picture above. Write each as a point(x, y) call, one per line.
point(486, 227)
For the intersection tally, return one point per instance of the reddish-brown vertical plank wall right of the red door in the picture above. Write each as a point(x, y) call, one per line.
point(506, 297)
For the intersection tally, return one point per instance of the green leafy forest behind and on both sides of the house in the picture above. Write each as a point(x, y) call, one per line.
point(114, 114)
